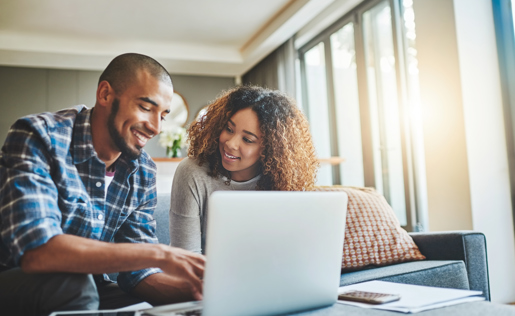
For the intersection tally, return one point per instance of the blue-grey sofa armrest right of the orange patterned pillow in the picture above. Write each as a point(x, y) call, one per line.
point(468, 246)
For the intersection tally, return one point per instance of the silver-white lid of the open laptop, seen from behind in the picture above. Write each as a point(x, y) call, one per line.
point(273, 252)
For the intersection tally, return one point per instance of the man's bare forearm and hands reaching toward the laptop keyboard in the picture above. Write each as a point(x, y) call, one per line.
point(182, 269)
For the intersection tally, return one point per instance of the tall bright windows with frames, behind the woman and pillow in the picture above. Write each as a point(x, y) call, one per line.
point(360, 93)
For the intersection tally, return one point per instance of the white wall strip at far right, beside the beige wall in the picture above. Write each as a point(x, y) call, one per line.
point(486, 141)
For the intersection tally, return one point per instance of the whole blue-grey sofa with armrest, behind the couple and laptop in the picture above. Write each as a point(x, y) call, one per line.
point(454, 259)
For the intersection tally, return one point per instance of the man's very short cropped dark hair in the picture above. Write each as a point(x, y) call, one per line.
point(121, 71)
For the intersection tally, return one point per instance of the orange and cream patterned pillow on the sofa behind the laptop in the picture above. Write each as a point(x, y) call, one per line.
point(373, 235)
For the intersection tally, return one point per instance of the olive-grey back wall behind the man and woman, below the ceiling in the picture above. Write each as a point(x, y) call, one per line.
point(26, 91)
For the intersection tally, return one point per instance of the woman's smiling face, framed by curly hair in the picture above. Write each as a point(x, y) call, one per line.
point(241, 145)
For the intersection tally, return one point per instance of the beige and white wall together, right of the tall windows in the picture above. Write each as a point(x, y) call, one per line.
point(464, 140)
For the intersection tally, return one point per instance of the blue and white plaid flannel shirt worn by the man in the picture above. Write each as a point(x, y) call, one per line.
point(52, 182)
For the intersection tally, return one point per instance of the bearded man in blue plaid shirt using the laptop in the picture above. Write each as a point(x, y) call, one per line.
point(77, 195)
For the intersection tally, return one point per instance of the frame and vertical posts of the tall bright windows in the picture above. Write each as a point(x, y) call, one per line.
point(355, 16)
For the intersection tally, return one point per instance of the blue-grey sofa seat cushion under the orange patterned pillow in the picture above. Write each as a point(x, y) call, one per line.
point(448, 273)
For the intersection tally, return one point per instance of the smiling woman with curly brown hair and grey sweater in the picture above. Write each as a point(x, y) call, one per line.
point(250, 138)
